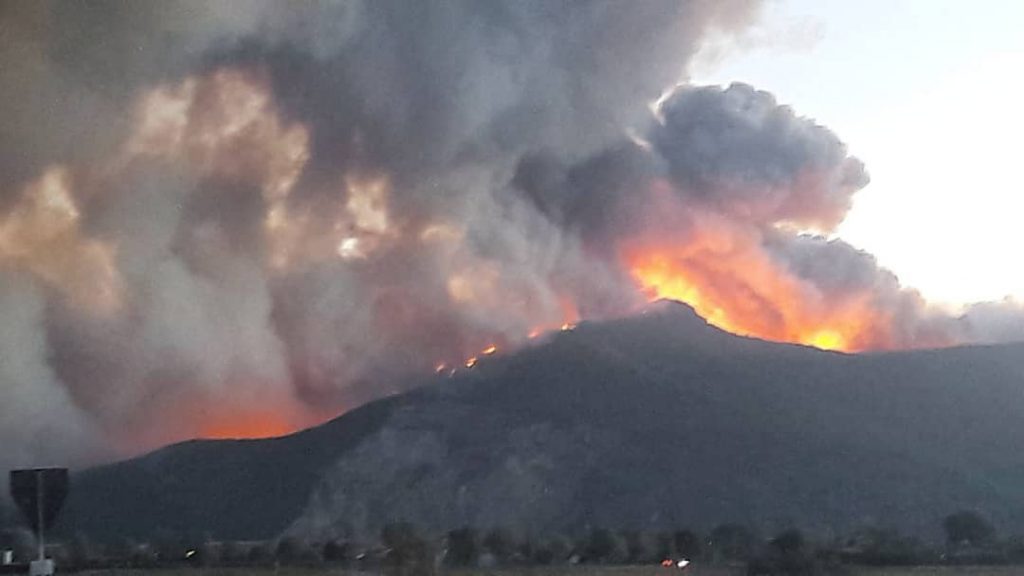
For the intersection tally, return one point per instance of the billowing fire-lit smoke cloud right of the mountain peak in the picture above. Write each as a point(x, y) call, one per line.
point(723, 204)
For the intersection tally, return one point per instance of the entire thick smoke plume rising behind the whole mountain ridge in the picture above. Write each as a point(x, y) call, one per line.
point(239, 219)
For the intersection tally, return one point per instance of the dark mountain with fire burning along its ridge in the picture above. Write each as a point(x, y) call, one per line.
point(655, 422)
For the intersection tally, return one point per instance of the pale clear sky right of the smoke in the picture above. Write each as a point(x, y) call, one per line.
point(930, 95)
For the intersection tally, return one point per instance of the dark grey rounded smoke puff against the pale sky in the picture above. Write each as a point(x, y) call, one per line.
point(743, 154)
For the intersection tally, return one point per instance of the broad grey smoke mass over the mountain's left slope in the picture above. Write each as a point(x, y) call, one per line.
point(184, 278)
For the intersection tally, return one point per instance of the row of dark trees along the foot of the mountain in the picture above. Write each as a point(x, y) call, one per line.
point(403, 550)
